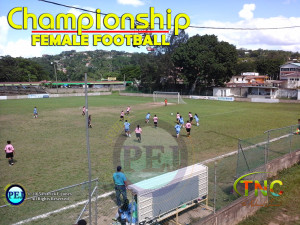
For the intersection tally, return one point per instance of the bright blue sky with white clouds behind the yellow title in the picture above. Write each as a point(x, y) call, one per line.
point(213, 13)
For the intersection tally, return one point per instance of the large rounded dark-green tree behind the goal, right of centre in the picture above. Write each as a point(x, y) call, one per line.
point(205, 61)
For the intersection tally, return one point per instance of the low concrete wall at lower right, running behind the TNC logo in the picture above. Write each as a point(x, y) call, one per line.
point(236, 212)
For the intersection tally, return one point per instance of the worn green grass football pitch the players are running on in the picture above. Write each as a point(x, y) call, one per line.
point(51, 150)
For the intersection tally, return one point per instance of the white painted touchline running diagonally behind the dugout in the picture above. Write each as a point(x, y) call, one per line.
point(42, 216)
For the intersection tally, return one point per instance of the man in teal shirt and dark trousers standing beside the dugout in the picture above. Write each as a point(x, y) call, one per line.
point(120, 182)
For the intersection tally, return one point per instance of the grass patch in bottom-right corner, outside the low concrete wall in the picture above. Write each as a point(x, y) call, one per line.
point(288, 212)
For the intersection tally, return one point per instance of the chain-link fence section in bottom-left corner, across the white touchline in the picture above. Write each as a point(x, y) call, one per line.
point(55, 207)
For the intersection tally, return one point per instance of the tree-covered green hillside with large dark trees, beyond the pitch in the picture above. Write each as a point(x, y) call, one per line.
point(188, 64)
